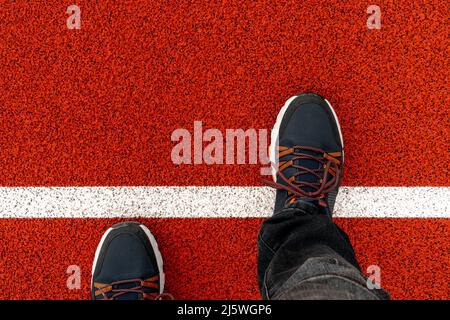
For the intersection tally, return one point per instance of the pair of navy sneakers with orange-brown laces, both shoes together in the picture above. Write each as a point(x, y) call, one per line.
point(307, 156)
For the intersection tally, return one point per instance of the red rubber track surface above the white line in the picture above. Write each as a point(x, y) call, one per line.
point(97, 106)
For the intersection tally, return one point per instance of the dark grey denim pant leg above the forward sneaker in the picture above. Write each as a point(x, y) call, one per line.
point(302, 254)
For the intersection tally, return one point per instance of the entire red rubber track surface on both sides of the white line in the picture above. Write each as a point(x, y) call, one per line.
point(97, 106)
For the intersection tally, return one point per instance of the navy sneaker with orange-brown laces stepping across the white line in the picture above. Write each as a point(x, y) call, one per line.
point(307, 153)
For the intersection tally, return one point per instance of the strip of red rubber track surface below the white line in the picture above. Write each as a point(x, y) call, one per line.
point(215, 258)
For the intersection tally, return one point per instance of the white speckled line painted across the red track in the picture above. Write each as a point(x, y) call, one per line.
point(196, 202)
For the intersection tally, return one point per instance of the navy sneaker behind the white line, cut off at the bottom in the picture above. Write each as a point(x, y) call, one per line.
point(127, 265)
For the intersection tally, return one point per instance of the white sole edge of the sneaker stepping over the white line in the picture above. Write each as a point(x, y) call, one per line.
point(274, 135)
